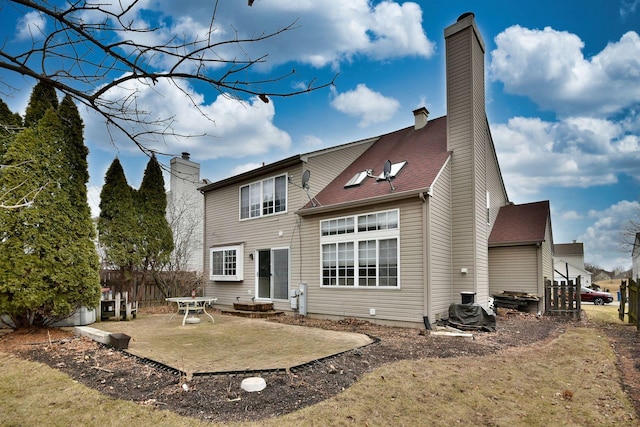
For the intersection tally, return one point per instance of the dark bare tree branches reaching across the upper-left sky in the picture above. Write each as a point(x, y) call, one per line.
point(91, 50)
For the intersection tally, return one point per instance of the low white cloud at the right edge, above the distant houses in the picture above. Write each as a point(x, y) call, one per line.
point(602, 239)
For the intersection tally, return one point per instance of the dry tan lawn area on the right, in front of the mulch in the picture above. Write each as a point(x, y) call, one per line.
point(571, 381)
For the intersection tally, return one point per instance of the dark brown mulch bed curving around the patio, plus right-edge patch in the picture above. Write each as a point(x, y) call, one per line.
point(219, 397)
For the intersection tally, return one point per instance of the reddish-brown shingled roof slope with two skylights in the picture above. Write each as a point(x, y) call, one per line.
point(424, 150)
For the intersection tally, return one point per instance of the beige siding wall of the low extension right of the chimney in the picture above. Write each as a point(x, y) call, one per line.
point(514, 268)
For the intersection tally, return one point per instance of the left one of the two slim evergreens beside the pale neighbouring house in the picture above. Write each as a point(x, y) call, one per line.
point(118, 230)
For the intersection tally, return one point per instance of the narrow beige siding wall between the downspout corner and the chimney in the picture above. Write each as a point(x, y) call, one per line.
point(439, 247)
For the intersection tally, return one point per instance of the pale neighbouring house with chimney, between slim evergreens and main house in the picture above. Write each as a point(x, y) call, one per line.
point(185, 213)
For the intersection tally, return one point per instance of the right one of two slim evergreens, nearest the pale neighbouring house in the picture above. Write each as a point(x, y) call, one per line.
point(151, 207)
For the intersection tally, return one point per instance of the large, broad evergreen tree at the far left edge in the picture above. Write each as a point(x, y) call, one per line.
point(48, 264)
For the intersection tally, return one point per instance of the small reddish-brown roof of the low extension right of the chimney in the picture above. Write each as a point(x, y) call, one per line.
point(520, 224)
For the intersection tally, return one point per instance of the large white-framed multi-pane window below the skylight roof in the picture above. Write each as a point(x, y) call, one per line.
point(361, 250)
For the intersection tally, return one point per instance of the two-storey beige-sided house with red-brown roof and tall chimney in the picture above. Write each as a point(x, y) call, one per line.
point(393, 229)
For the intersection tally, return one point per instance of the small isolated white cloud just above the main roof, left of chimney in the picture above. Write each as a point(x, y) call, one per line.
point(369, 106)
